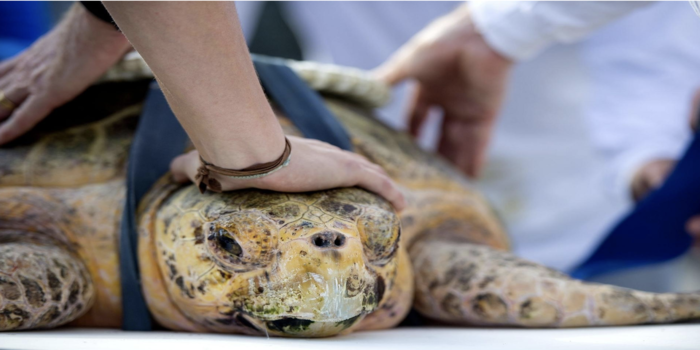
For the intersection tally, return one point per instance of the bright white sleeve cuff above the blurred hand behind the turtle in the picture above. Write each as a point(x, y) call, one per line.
point(520, 30)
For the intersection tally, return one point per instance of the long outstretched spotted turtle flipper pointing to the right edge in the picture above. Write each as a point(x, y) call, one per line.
point(464, 283)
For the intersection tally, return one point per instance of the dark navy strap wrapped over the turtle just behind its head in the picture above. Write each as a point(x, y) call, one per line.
point(159, 138)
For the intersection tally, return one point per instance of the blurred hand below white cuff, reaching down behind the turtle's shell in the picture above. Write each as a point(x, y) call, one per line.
point(457, 71)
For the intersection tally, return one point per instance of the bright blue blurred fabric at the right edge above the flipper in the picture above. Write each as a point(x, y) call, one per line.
point(654, 231)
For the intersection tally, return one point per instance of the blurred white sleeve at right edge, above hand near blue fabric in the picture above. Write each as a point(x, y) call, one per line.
point(642, 78)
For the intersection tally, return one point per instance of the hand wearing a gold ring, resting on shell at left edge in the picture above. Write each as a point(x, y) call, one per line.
point(55, 69)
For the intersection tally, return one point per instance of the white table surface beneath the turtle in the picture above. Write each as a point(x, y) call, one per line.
point(679, 336)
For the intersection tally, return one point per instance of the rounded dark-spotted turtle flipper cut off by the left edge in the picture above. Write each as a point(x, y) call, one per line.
point(42, 285)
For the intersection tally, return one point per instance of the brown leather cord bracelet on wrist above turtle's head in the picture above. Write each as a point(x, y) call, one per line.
point(204, 180)
